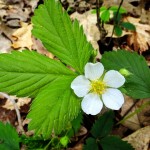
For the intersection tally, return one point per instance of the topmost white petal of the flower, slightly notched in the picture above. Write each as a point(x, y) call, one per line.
point(94, 71)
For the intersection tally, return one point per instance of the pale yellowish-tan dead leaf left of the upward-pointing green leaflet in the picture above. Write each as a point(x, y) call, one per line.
point(22, 37)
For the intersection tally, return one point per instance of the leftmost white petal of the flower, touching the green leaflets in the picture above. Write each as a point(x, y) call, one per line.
point(81, 86)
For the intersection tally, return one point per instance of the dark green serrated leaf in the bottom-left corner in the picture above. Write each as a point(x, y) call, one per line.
point(9, 139)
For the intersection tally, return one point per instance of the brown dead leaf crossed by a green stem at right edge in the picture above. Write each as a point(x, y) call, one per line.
point(138, 116)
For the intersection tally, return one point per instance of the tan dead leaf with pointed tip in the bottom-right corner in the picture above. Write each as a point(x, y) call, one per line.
point(139, 139)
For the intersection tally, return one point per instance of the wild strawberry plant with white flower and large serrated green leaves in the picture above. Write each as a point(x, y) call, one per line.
point(57, 97)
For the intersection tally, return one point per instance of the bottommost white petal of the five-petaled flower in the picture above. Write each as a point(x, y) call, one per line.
point(91, 104)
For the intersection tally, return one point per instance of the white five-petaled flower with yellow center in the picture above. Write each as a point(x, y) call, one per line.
point(98, 87)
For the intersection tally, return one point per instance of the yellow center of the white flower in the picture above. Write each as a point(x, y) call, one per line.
point(98, 87)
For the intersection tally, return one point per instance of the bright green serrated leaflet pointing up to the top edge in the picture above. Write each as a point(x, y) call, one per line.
point(66, 40)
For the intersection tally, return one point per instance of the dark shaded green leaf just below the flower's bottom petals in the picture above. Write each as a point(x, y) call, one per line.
point(103, 125)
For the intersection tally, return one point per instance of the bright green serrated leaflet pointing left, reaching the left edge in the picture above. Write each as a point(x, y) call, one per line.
point(26, 73)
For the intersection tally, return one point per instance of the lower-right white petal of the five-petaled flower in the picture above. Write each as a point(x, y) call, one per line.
point(113, 99)
